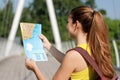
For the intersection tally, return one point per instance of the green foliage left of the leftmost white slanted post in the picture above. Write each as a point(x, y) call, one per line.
point(6, 17)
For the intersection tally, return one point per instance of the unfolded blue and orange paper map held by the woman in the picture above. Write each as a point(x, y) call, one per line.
point(33, 46)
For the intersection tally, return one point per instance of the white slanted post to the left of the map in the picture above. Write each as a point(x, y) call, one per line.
point(14, 27)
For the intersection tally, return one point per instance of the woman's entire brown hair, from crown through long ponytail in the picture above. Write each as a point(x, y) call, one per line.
point(97, 37)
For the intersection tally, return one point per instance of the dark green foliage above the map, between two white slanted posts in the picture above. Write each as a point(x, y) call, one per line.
point(37, 13)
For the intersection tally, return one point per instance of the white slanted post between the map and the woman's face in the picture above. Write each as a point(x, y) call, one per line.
point(54, 24)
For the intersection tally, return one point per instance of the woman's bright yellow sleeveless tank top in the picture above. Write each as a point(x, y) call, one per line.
point(86, 74)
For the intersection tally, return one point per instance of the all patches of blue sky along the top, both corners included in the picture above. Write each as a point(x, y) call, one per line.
point(111, 6)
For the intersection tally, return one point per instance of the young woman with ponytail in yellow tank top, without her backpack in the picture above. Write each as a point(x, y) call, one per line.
point(89, 30)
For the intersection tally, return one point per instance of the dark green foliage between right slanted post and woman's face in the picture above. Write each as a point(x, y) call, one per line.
point(62, 9)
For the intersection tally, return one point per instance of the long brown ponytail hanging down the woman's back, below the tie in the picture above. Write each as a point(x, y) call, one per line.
point(99, 44)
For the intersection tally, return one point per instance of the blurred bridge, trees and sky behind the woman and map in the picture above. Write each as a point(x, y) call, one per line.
point(12, 12)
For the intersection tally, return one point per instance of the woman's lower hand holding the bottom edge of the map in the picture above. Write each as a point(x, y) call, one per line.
point(30, 64)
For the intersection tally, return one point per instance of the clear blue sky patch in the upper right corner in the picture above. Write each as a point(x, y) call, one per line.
point(111, 6)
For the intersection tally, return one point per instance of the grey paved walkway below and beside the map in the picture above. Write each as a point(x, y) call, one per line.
point(13, 68)
